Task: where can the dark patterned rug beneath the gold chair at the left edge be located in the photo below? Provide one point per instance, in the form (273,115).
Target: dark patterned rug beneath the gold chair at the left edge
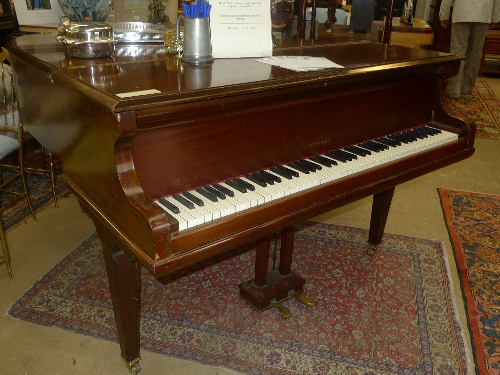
(40,189)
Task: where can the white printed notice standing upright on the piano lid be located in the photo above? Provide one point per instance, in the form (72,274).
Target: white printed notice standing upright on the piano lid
(241,28)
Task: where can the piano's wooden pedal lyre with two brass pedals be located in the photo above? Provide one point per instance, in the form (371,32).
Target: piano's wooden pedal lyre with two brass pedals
(269,288)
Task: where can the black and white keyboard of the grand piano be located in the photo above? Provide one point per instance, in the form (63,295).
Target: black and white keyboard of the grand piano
(211,202)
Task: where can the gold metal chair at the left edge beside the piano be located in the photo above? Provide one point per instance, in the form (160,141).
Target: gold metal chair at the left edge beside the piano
(13,139)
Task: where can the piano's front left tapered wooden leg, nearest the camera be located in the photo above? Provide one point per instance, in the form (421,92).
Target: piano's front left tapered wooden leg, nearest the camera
(125,286)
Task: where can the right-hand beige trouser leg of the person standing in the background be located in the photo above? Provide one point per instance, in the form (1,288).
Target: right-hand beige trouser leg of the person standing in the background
(473,57)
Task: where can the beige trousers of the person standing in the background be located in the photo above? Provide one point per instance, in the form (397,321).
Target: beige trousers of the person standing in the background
(467,39)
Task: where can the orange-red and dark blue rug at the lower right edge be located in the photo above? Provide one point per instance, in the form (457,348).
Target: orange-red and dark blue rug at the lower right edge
(473,221)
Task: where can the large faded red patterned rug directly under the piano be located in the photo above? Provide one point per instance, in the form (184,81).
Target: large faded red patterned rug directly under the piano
(392,313)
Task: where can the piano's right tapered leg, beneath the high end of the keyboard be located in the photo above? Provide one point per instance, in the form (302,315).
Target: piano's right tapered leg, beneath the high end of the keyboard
(380,211)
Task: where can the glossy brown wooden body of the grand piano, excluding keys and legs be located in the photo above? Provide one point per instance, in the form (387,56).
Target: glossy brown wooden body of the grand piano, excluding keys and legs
(212,122)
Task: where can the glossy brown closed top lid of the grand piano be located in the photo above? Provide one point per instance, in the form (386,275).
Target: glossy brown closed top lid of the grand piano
(139,68)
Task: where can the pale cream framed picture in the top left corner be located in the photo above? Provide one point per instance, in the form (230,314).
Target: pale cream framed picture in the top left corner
(37,13)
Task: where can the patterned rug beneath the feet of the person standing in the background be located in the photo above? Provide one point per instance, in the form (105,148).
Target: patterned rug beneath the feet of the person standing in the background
(482,107)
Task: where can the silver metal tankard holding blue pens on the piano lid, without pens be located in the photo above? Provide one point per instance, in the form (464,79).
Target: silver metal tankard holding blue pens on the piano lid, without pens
(197,48)
